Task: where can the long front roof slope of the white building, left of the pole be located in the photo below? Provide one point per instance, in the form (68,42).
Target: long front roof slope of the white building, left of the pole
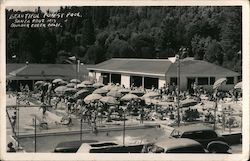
(152,67)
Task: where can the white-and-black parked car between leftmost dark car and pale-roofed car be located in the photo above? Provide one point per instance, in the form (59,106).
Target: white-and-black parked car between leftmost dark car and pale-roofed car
(109,147)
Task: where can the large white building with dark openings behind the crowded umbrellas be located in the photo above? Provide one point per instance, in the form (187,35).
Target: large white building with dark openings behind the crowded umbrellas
(157,72)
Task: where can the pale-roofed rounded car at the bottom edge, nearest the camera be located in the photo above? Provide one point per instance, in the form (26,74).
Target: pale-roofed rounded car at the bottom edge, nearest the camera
(180,145)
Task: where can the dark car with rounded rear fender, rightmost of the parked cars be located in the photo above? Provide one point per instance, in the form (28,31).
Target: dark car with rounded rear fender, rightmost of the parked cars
(206,136)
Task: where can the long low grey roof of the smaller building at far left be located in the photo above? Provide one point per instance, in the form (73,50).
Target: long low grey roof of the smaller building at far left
(43,71)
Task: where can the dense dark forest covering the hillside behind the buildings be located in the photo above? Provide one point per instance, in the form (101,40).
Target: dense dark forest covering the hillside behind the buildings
(211,33)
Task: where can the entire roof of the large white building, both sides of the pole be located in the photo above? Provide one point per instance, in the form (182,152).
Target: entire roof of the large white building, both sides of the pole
(162,67)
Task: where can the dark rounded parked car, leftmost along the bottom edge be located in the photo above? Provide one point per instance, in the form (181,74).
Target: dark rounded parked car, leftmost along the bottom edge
(71,146)
